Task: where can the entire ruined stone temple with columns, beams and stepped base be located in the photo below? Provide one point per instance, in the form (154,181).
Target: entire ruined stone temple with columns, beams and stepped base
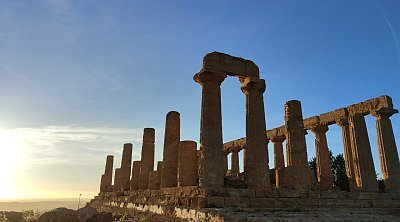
(193,183)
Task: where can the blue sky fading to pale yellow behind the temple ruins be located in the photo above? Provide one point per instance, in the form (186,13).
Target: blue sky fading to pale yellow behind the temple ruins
(78,79)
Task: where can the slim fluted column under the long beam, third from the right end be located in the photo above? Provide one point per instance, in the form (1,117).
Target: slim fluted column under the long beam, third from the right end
(348,153)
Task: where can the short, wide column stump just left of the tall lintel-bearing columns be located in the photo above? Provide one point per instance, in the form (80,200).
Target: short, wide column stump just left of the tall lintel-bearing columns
(187,166)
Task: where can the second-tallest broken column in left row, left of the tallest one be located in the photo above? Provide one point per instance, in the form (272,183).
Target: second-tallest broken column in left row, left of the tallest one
(147,161)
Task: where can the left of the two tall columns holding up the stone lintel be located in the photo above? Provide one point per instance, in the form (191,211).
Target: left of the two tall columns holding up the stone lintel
(212,163)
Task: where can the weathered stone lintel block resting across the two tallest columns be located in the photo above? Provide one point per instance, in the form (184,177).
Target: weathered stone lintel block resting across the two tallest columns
(220,62)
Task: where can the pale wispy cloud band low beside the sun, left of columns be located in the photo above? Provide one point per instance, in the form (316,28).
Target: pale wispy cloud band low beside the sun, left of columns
(69,144)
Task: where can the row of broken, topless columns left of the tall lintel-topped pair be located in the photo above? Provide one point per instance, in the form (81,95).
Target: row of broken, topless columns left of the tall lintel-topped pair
(178,168)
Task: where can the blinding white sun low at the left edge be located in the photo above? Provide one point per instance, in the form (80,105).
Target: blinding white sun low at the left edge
(11,151)
